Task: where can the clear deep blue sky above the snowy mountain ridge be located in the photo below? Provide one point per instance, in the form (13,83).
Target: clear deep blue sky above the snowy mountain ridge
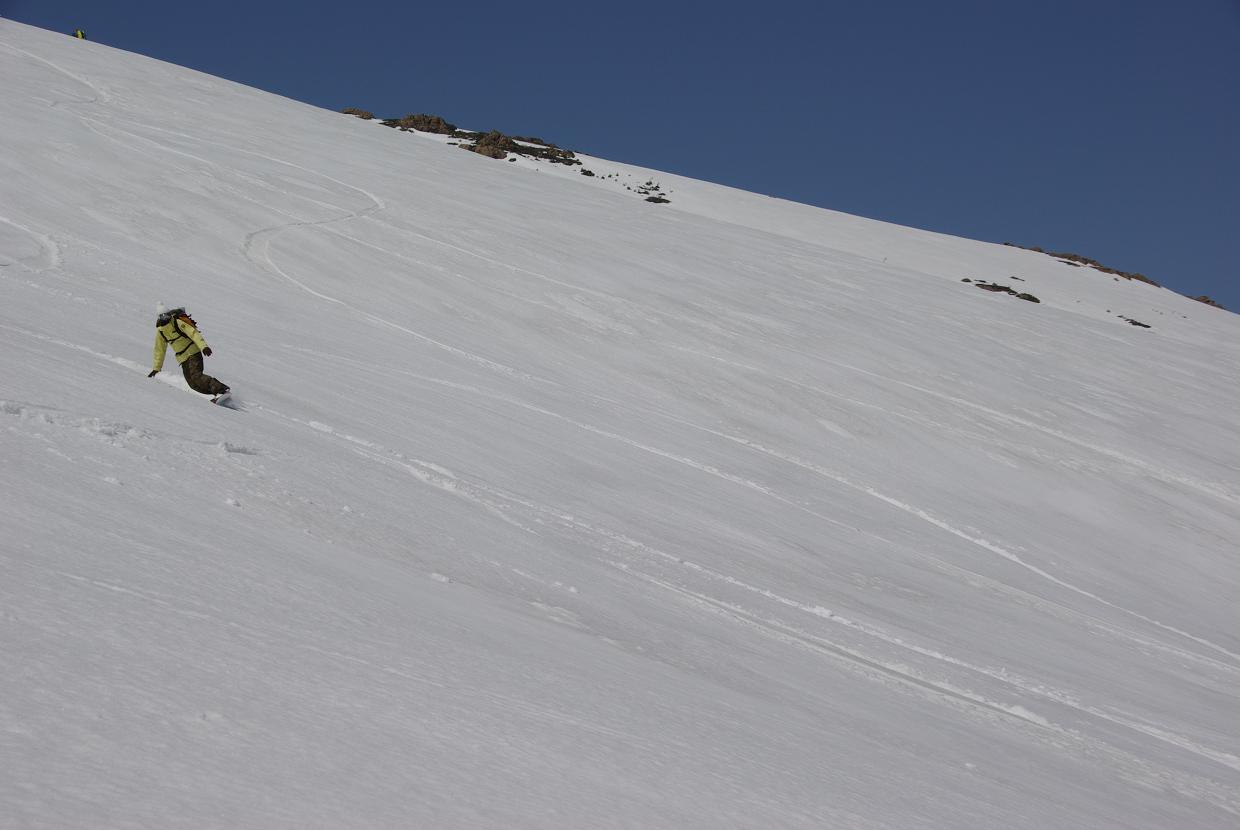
(1109,128)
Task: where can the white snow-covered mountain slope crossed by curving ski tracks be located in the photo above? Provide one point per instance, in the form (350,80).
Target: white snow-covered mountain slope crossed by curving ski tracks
(551,508)
